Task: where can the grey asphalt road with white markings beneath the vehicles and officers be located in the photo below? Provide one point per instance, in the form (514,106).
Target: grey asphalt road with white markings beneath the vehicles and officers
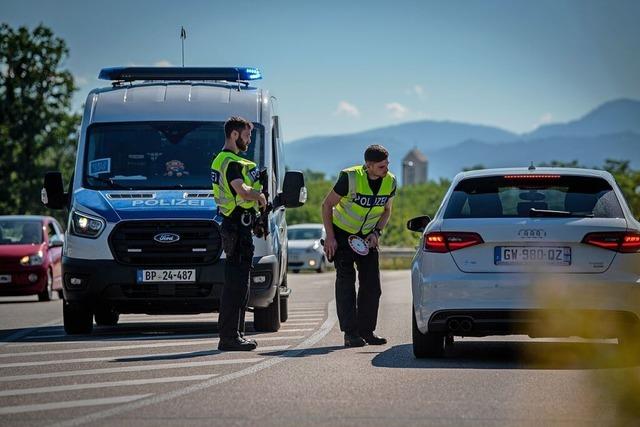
(165,370)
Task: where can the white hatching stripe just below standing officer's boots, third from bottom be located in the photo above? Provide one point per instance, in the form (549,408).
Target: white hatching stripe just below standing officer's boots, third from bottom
(138,368)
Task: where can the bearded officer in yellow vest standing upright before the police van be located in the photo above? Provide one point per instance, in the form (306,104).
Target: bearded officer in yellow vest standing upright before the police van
(236,190)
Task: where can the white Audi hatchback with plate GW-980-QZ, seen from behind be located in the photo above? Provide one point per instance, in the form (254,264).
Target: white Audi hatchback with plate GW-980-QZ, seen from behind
(547,252)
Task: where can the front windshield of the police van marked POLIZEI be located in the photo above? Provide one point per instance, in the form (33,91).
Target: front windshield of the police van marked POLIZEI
(157,155)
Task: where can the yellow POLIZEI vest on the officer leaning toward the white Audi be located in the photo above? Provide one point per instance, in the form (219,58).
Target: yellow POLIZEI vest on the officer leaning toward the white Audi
(360,210)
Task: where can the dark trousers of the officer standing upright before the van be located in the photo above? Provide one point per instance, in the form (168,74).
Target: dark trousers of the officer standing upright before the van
(235,292)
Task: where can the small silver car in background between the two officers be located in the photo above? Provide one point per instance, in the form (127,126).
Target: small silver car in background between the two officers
(305,251)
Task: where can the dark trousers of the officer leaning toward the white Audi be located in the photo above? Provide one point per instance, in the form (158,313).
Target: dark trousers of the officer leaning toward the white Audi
(357,315)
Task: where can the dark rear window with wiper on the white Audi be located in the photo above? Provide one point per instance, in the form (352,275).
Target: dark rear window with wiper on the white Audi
(524,196)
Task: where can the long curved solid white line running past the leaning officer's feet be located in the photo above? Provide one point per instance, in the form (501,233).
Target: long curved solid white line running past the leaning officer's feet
(267,363)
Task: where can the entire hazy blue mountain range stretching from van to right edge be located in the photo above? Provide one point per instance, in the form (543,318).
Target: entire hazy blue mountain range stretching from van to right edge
(612,130)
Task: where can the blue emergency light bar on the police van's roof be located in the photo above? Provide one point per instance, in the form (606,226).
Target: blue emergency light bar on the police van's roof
(230,74)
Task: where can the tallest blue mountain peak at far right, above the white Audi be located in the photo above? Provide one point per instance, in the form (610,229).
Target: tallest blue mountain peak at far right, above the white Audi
(611,117)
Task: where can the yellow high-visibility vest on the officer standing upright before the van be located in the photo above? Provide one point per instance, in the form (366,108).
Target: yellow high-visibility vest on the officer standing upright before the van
(222,194)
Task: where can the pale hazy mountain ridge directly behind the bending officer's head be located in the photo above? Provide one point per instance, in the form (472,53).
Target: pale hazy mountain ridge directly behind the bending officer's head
(330,154)
